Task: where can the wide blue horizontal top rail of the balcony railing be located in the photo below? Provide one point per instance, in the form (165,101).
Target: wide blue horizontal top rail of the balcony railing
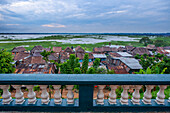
(120,79)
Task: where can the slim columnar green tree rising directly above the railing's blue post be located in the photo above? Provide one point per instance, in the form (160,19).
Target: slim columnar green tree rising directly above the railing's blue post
(85,63)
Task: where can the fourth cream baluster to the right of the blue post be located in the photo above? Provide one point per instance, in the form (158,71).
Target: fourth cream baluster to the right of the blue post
(136,94)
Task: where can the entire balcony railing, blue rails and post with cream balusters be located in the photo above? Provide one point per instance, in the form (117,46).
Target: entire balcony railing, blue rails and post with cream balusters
(86,101)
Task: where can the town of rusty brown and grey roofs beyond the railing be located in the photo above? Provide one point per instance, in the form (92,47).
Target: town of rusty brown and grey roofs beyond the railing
(120,59)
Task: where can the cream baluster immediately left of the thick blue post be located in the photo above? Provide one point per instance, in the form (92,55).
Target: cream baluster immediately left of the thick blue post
(70,95)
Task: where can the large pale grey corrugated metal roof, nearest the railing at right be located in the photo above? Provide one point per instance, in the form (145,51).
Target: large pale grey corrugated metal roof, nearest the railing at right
(131,63)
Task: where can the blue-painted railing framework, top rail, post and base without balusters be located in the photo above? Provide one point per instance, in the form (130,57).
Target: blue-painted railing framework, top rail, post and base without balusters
(86,84)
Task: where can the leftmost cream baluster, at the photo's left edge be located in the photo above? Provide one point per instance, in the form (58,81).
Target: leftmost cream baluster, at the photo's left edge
(6,94)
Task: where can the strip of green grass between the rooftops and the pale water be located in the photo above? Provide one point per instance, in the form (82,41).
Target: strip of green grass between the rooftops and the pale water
(89,47)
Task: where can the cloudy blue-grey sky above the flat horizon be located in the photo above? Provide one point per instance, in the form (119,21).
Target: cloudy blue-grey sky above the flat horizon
(84,16)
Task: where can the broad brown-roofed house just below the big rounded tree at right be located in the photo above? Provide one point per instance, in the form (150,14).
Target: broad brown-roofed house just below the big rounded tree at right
(140,51)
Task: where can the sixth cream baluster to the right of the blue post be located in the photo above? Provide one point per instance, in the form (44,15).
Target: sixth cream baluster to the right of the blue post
(160,95)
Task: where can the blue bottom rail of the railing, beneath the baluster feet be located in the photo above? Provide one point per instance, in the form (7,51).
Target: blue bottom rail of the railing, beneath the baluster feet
(64,107)
